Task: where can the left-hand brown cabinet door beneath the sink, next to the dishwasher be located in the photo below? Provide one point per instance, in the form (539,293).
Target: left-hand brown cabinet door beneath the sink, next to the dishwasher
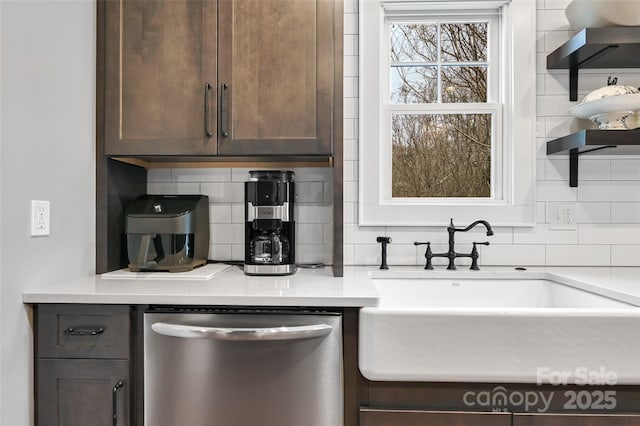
(377,417)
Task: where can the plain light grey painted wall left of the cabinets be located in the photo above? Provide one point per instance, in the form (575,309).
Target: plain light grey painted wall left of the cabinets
(47,153)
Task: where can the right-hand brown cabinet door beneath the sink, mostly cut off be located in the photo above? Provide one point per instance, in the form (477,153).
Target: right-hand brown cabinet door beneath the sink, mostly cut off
(576,419)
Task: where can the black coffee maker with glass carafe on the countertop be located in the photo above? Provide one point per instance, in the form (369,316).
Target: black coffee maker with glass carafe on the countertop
(269,237)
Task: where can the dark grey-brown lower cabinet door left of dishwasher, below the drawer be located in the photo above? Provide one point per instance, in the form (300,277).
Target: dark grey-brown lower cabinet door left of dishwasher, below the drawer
(77,392)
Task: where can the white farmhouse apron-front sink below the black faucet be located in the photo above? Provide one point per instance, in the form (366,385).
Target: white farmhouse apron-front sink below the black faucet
(493,330)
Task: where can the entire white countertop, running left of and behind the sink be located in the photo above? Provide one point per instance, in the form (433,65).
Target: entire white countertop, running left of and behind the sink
(312,287)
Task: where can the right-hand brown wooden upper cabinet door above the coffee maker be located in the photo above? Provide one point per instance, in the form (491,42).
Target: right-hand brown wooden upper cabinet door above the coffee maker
(276,76)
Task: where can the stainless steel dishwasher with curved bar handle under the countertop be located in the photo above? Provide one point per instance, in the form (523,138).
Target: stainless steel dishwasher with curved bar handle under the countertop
(243,367)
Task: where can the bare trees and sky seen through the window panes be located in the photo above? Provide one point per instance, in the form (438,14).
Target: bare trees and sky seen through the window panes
(439,155)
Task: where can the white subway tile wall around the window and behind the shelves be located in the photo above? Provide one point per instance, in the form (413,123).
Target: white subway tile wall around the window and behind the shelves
(607,200)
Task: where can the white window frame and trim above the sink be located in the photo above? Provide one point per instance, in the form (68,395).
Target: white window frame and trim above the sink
(513,141)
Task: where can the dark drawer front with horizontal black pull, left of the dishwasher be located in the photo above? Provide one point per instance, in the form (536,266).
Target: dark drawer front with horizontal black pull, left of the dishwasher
(83,331)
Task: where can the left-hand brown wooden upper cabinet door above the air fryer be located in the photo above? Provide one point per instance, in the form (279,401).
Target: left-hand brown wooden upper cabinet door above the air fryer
(160,77)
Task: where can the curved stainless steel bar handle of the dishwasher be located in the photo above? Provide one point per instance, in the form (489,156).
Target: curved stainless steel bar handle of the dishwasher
(242,334)
